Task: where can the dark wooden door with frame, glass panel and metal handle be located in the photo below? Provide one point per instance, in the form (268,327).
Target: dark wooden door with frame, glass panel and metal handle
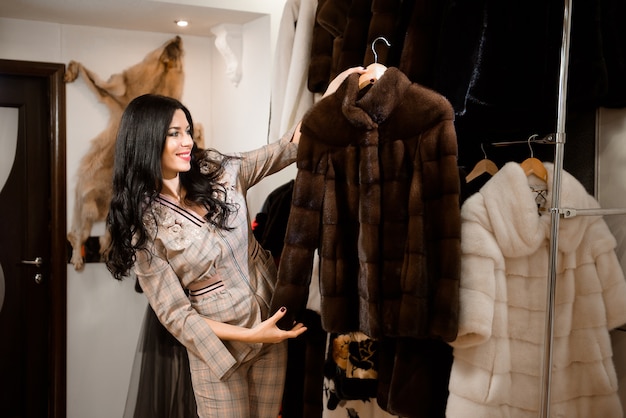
(32,242)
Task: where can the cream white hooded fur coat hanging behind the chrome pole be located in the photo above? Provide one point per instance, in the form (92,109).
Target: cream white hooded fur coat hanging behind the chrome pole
(497,367)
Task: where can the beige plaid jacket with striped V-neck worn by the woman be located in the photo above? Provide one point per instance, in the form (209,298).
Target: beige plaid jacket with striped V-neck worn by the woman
(186,250)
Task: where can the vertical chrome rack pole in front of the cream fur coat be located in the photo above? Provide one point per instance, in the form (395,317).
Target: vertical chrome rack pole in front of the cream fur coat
(555,212)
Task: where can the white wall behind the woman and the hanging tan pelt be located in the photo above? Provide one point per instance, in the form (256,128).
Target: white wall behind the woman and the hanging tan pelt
(104,316)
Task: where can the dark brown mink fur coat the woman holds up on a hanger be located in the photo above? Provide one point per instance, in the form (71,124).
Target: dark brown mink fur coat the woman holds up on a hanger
(377,194)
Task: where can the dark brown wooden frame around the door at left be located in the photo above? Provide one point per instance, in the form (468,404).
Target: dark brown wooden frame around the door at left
(53,73)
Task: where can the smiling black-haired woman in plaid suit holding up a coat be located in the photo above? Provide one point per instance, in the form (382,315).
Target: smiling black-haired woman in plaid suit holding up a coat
(179,220)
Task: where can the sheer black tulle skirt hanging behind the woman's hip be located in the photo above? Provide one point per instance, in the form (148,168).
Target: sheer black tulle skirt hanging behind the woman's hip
(160,383)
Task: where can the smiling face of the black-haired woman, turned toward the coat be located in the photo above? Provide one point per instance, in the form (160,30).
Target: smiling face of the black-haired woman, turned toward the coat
(176,155)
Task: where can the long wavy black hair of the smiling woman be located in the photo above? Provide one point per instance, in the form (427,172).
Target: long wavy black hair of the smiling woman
(137,178)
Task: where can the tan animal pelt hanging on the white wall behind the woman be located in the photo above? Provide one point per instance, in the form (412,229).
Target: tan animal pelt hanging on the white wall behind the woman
(160,72)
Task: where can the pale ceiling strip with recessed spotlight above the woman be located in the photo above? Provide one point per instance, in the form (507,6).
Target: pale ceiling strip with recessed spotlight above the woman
(141,15)
